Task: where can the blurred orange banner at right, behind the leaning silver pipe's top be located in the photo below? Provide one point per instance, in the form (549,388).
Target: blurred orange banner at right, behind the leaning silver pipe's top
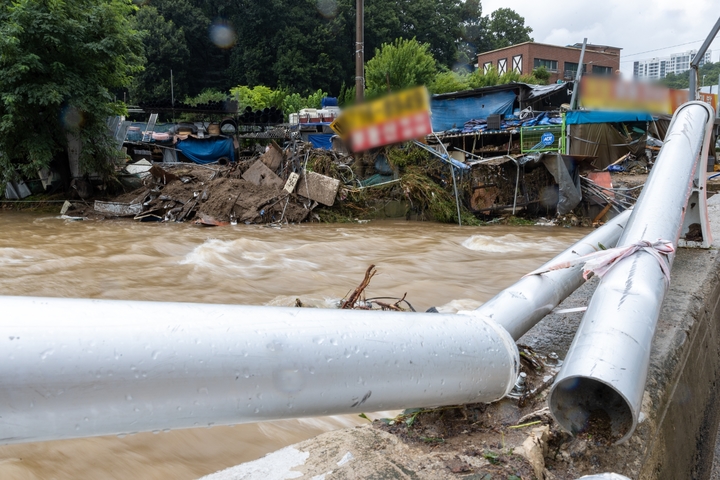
(609,93)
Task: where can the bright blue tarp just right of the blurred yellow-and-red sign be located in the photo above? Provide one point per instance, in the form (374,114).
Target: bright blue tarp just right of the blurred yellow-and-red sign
(454,112)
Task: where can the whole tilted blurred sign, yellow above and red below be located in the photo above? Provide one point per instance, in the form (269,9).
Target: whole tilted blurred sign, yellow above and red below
(396,118)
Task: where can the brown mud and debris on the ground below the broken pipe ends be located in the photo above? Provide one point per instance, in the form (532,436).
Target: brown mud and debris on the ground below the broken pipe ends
(515,438)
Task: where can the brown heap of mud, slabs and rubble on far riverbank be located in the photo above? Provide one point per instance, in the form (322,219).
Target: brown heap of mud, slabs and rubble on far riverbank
(273,188)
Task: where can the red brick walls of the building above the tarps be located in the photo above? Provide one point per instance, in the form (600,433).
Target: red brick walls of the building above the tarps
(531,51)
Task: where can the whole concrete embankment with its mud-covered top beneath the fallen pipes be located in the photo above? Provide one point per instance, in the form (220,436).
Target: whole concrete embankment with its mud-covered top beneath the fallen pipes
(674,439)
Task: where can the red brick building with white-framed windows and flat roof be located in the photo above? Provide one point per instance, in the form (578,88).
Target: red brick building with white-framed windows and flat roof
(561,62)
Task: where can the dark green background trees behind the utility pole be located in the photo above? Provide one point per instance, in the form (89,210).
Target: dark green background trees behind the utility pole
(301,46)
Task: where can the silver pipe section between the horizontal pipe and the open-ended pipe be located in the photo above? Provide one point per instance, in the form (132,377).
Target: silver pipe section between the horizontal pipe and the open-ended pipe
(519,307)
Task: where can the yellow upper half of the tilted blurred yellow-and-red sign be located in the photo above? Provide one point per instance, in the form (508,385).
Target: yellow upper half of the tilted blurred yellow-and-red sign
(395,106)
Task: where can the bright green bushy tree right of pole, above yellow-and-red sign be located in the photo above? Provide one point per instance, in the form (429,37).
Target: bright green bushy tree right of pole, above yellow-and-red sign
(398,65)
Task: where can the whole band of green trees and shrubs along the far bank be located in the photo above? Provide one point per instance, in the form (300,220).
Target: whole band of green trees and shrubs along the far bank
(65,64)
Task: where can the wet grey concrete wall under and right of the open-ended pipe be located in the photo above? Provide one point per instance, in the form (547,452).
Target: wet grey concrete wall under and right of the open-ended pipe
(676,436)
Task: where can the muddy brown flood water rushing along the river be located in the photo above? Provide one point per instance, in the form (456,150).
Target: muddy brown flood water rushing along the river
(437,265)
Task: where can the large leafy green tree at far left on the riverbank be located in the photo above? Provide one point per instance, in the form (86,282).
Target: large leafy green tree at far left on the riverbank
(60,61)
